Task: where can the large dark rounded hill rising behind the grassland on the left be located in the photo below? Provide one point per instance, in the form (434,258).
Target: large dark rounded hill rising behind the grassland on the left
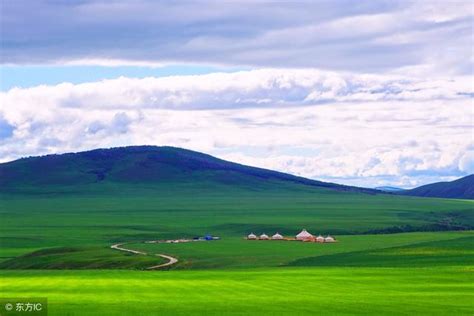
(143,165)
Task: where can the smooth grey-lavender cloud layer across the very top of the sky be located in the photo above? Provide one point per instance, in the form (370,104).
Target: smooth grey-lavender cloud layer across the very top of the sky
(367,36)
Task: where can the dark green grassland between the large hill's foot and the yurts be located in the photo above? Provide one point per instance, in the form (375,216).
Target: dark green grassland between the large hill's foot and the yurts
(142,213)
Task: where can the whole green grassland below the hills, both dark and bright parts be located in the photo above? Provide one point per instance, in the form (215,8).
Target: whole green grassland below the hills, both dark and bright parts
(58,246)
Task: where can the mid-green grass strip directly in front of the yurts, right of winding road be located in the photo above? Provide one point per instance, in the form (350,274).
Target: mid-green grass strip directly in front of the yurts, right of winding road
(239,253)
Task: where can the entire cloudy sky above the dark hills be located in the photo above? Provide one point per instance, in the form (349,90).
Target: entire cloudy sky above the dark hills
(366,93)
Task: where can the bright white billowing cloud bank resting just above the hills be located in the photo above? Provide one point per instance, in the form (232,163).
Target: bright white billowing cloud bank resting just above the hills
(356,129)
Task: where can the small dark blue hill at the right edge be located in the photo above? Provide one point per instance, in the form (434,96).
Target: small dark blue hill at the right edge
(462,188)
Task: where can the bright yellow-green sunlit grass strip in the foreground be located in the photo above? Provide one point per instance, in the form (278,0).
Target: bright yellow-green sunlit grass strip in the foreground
(271,291)
